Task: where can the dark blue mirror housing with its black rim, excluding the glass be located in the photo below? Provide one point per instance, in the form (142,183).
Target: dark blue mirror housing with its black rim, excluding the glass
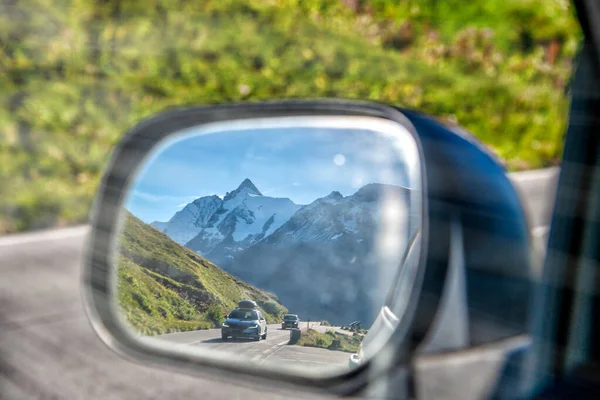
(475,241)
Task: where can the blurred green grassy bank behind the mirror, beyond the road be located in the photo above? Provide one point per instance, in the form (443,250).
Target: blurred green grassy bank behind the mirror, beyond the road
(76,74)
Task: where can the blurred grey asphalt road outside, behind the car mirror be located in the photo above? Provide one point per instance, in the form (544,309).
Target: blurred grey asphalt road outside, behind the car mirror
(48,349)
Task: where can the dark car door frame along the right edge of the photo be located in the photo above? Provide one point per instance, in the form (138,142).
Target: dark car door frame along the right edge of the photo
(566,353)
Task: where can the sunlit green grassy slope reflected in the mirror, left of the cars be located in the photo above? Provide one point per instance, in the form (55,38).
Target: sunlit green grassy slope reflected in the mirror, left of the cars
(164,287)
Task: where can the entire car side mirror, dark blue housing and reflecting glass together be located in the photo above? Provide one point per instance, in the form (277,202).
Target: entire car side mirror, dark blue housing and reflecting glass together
(354,212)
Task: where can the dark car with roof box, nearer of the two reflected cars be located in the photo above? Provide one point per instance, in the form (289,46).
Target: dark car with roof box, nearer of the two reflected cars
(244,323)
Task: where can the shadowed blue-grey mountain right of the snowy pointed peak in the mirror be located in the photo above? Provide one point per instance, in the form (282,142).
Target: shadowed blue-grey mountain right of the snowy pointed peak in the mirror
(325,262)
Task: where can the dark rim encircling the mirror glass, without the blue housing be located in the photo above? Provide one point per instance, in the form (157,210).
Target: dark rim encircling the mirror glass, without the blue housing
(127,157)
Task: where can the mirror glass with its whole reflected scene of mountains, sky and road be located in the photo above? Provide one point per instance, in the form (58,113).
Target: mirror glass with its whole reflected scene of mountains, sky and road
(274,241)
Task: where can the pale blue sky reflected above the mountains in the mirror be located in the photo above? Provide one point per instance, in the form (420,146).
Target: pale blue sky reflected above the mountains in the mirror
(302,164)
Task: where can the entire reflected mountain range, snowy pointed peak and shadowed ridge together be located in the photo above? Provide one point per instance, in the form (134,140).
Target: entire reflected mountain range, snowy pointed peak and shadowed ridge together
(323,260)
